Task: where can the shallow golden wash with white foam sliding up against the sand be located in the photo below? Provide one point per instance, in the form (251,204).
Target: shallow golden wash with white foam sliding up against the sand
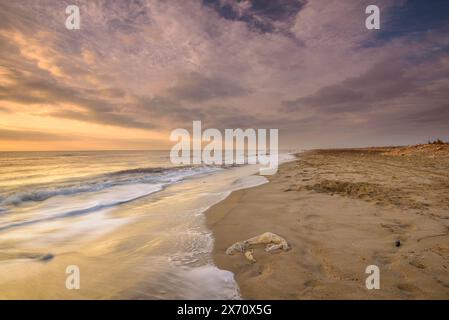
(153,247)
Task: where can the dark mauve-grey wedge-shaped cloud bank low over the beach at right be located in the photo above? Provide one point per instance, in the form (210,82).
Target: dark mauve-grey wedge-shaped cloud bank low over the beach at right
(390,85)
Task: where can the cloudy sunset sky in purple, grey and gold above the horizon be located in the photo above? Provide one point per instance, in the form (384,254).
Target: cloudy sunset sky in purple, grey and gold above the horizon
(136,70)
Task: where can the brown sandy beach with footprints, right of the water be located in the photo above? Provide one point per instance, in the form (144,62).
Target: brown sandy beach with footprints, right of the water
(342,210)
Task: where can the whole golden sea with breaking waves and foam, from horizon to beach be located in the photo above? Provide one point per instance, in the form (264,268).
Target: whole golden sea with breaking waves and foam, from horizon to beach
(131,221)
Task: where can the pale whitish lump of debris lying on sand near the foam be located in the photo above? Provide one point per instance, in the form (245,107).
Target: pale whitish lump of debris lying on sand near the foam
(273,242)
